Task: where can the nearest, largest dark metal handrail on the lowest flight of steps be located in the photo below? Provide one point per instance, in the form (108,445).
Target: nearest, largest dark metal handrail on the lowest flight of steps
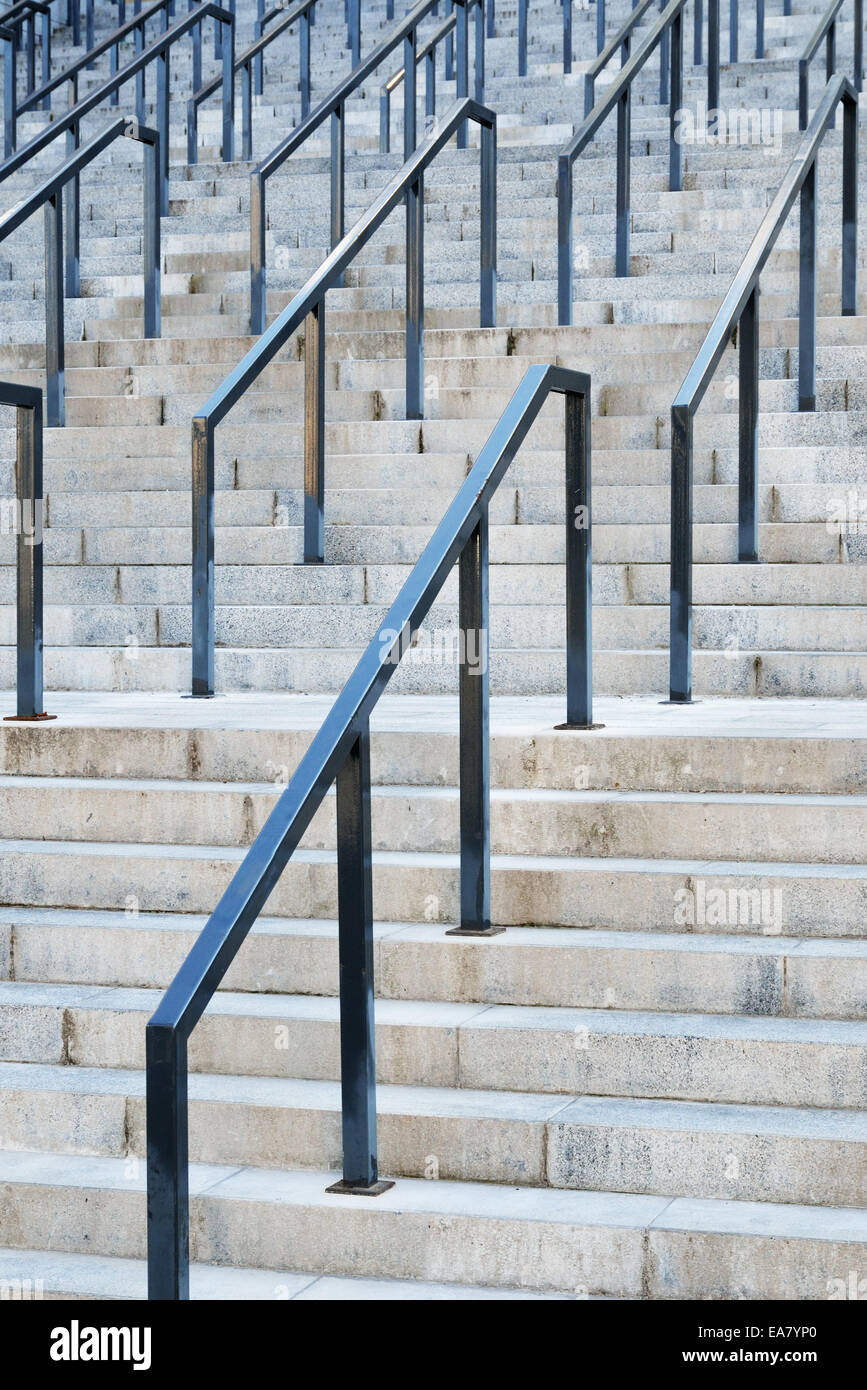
(341,754)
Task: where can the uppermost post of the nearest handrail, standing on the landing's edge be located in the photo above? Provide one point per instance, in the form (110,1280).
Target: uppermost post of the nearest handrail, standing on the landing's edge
(579,565)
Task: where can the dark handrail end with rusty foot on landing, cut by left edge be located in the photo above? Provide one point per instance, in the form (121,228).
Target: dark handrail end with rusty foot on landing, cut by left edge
(28,526)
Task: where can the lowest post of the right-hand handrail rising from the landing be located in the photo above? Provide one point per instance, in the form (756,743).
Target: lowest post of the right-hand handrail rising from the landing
(680,639)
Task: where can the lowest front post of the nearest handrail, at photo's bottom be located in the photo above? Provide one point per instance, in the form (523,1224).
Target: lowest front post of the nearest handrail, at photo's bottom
(167,1166)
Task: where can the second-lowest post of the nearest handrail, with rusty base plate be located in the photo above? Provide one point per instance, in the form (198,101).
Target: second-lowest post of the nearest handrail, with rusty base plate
(356,949)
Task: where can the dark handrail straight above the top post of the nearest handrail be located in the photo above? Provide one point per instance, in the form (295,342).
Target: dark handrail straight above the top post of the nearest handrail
(620,95)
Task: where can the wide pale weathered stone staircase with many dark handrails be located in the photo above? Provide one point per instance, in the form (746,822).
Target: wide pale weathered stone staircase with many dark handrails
(652,1085)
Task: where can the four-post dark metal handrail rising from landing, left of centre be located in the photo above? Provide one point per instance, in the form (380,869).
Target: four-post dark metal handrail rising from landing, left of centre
(309,308)
